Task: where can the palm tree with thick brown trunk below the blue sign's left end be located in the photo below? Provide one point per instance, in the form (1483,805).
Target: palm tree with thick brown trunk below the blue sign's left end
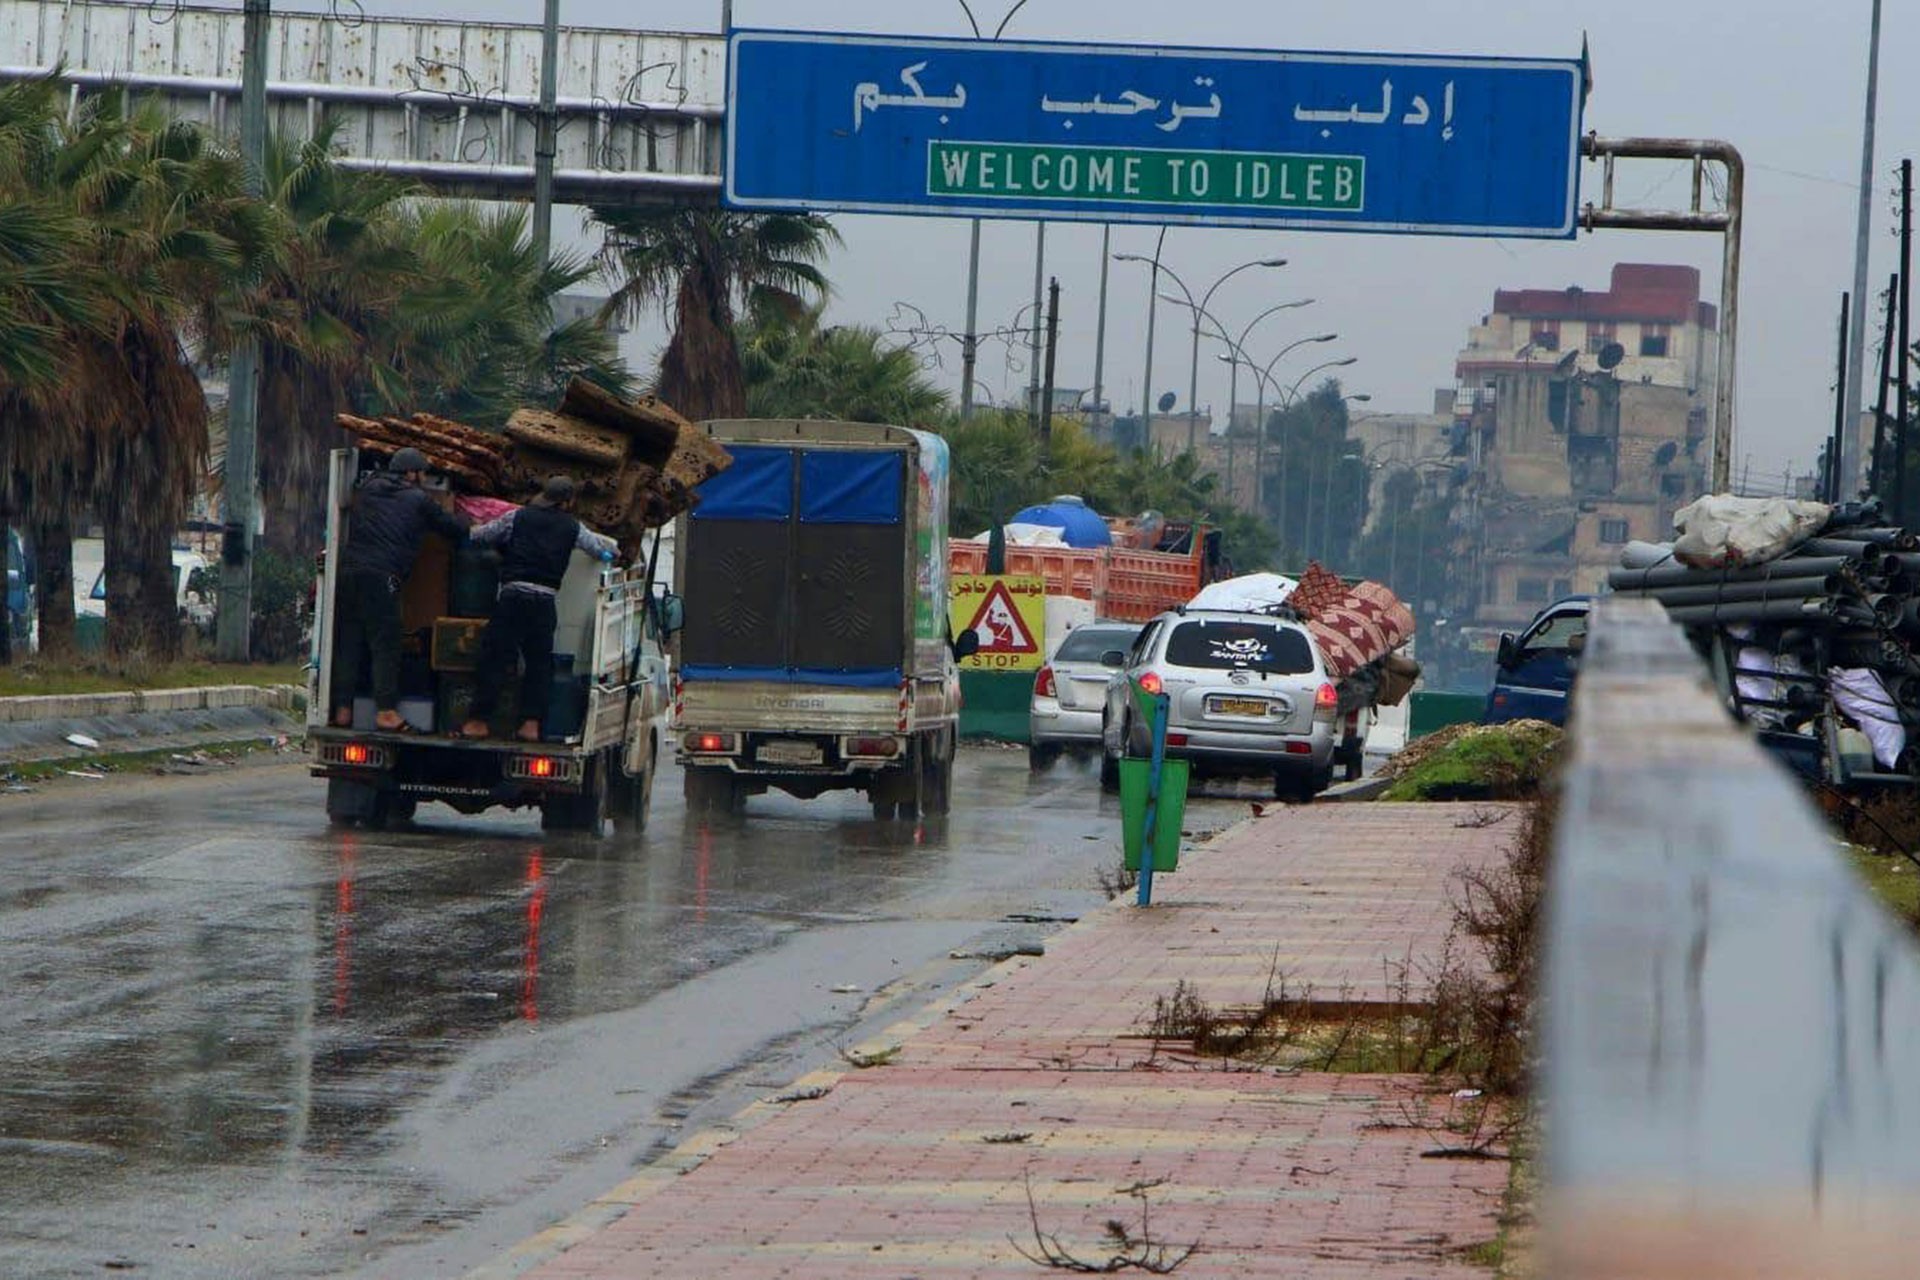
(704,268)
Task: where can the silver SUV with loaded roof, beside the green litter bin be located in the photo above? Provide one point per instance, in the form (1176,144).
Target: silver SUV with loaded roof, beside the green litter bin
(1247,698)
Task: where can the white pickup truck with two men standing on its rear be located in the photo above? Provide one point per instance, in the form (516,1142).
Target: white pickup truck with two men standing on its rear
(596,761)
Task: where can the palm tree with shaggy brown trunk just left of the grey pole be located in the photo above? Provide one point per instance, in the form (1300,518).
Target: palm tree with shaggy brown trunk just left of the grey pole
(164,231)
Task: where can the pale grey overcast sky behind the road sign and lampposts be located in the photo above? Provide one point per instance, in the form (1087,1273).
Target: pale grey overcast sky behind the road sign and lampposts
(1785,87)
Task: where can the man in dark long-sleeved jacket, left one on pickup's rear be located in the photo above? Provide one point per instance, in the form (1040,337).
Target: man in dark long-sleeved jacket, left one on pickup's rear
(387,523)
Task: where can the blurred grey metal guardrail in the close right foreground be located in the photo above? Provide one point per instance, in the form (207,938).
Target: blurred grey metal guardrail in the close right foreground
(1731,1022)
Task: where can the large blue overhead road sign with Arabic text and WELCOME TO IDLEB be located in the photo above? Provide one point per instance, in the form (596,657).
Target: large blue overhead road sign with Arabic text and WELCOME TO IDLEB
(1381,143)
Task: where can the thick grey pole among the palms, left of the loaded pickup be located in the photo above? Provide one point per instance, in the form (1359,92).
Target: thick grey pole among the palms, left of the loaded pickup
(241,473)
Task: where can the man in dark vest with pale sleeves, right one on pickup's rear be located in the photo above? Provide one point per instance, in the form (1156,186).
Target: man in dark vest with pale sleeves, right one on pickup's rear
(535,542)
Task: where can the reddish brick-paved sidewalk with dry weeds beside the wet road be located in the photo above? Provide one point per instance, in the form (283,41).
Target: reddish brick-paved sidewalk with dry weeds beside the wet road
(1042,1083)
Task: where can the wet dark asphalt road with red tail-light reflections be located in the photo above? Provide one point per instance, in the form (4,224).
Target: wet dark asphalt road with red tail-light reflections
(235,1043)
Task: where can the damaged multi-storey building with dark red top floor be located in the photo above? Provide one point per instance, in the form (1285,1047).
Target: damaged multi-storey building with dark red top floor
(1583,421)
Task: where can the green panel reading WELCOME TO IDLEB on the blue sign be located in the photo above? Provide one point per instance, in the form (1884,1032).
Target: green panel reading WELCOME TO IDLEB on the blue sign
(1015,170)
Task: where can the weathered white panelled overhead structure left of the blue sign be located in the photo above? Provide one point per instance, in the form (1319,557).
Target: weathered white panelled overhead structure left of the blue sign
(444,103)
